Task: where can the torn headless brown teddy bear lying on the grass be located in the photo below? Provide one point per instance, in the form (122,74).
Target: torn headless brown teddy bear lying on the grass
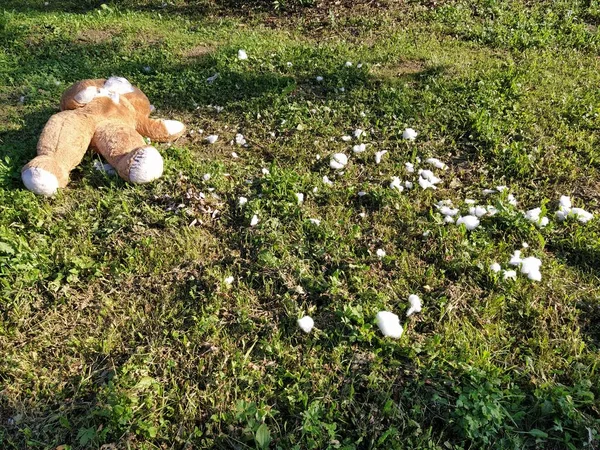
(109,115)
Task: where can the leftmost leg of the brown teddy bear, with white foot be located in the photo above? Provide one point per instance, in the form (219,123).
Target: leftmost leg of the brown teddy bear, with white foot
(61,147)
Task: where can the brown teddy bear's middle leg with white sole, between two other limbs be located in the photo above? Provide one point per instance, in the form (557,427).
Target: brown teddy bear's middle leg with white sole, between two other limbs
(125,150)
